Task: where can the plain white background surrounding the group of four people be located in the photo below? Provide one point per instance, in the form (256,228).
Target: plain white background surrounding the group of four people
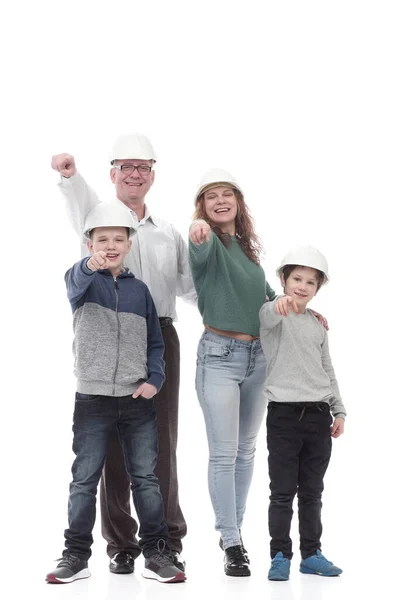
(302,102)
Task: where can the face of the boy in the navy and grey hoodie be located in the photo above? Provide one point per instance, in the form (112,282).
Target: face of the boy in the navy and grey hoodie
(114,241)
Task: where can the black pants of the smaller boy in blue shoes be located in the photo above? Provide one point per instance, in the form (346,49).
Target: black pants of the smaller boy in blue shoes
(299,445)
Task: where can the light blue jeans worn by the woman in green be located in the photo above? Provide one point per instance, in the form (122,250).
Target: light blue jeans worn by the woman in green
(229,383)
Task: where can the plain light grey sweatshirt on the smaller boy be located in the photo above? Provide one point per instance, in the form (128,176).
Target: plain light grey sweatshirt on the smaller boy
(299,367)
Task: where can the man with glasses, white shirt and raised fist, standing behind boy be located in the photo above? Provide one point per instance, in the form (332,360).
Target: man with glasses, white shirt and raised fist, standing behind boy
(159,258)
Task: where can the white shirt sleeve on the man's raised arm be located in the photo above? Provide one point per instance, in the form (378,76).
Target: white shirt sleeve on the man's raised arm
(80,199)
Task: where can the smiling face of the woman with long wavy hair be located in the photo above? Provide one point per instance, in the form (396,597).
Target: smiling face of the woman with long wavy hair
(221,207)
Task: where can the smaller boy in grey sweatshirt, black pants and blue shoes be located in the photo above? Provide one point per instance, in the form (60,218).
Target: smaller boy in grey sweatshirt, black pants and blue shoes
(303,395)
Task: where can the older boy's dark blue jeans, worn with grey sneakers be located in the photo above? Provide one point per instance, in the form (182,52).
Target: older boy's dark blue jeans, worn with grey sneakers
(95,419)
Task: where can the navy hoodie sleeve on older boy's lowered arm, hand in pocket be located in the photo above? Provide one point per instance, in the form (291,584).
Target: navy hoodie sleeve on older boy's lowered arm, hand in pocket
(155,346)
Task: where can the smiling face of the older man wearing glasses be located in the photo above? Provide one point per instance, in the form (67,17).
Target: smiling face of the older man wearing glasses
(131,188)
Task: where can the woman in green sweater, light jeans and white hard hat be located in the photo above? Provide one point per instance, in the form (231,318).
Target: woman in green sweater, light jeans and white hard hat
(231,287)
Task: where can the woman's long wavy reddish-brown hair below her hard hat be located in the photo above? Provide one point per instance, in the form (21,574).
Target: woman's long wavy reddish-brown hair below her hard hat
(244,227)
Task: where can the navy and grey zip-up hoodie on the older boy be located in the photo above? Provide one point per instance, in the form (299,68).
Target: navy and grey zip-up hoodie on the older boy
(118,342)
